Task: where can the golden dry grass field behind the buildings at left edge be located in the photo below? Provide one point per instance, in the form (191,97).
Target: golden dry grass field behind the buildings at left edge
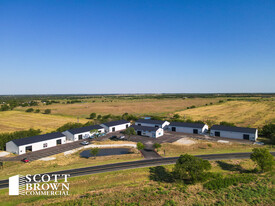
(17,120)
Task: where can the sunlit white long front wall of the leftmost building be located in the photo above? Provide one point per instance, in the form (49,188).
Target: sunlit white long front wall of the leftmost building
(39,145)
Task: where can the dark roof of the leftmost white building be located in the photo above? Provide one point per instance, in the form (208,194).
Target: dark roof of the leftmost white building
(38,138)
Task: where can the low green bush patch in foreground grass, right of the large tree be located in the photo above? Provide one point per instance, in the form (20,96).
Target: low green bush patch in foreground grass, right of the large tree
(220,182)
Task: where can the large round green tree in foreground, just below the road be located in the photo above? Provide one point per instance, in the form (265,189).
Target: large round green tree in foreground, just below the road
(190,168)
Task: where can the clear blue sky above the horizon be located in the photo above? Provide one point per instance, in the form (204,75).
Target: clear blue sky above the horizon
(135,46)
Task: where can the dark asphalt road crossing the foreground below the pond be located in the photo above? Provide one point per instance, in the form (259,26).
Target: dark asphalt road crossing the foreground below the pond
(137,164)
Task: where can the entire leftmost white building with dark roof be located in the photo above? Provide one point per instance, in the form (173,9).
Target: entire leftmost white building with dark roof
(39,142)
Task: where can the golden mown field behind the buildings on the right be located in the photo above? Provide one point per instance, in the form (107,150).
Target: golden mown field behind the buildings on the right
(242,113)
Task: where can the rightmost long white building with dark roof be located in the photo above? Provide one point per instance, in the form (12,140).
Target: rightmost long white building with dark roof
(234,132)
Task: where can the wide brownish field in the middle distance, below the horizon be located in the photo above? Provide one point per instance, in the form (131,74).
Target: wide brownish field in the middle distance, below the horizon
(121,106)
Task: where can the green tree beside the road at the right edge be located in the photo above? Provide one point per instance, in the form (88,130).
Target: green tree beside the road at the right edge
(263,158)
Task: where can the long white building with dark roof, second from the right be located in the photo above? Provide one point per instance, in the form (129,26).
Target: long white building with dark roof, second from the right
(186,127)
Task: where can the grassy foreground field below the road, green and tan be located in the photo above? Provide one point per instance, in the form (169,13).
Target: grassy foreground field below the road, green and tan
(105,189)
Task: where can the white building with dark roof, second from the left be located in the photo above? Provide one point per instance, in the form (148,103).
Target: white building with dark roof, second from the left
(82,133)
